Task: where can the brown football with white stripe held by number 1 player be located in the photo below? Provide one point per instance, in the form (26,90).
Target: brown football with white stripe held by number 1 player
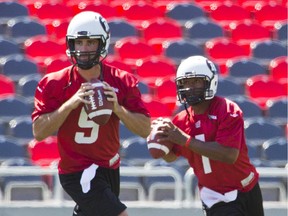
(156,149)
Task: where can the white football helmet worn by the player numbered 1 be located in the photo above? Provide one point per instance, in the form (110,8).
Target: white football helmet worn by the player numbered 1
(196,67)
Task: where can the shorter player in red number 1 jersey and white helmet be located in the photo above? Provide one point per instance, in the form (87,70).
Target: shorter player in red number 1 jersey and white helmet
(210,135)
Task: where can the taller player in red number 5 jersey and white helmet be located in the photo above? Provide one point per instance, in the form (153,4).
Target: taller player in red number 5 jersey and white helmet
(89,158)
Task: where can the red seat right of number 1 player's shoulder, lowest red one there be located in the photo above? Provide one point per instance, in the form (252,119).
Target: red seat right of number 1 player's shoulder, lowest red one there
(261,88)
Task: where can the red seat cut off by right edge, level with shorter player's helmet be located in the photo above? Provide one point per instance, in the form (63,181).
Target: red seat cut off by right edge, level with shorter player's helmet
(278,68)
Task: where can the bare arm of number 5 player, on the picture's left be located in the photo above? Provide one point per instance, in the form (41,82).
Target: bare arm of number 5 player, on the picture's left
(47,124)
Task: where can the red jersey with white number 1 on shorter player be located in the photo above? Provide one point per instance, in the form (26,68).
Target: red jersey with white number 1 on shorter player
(222,122)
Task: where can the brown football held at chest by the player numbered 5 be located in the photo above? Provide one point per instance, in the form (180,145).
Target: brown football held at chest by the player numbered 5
(100,109)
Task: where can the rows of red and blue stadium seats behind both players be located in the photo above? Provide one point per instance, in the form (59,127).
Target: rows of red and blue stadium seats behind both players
(246,39)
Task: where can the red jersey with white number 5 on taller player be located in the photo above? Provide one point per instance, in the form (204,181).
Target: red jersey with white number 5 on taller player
(81,142)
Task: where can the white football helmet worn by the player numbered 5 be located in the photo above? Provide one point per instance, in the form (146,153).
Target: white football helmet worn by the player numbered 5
(90,25)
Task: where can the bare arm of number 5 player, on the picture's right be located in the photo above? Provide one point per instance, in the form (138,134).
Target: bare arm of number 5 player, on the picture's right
(138,123)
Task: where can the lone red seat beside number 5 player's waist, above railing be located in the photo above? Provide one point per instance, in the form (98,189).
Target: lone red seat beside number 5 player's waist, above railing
(43,152)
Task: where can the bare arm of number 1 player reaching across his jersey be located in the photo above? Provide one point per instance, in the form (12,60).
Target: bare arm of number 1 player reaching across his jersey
(212,150)
